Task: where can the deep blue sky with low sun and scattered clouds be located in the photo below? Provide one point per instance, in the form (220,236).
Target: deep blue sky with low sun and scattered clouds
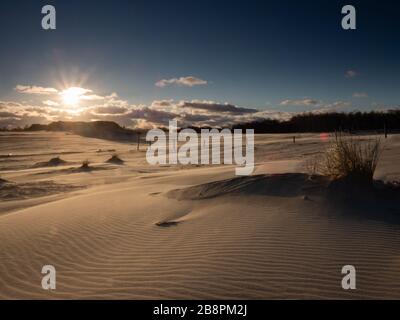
(142,63)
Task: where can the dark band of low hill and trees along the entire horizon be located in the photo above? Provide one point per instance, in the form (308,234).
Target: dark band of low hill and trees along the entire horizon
(307,122)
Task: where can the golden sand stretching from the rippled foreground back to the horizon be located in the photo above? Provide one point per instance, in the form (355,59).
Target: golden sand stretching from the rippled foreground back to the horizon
(134,231)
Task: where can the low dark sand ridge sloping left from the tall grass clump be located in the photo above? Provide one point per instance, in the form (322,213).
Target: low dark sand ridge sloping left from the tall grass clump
(282,185)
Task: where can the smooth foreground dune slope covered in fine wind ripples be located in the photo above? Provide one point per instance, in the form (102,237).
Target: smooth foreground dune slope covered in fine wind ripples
(107,247)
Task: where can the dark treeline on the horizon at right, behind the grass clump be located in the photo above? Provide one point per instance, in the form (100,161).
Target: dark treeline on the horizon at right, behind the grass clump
(329,122)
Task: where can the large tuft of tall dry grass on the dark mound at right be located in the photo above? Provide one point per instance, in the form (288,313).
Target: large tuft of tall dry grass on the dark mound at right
(351,160)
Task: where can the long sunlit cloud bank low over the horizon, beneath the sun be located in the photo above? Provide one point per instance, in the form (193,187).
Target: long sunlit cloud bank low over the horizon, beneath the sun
(156,114)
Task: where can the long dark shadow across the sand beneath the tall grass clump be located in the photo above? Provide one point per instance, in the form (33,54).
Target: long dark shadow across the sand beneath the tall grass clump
(377,201)
